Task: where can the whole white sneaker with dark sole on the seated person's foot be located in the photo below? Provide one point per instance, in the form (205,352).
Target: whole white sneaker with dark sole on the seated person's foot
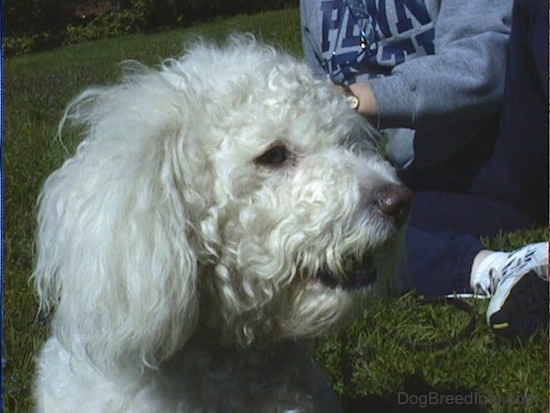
(517,283)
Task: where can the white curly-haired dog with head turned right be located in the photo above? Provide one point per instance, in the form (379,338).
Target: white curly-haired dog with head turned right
(220,212)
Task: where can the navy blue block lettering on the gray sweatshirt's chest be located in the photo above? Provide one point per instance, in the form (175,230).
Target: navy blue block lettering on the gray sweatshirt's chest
(401,29)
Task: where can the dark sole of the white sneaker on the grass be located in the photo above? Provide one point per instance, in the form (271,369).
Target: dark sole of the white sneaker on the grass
(525,310)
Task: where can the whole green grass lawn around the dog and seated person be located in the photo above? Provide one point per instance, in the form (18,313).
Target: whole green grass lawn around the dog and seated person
(369,362)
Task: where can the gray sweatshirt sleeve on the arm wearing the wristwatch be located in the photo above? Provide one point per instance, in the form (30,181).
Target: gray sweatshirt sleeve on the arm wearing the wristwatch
(463,79)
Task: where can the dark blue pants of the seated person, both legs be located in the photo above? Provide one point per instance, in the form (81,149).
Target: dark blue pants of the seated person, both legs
(497,185)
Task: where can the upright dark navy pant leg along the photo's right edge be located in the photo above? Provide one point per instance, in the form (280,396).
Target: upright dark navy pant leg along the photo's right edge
(518,169)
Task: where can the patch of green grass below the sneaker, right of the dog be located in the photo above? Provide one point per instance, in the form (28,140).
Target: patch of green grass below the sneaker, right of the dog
(374,357)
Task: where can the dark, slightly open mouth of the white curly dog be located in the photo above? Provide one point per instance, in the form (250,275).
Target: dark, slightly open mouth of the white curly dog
(358,274)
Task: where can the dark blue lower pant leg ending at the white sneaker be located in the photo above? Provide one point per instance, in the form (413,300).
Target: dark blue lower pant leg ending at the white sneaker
(438,263)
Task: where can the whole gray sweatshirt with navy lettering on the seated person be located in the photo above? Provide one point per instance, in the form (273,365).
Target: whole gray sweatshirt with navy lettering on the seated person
(432,64)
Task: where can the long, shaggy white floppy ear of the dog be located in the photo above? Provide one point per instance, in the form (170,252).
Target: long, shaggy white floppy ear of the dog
(115,249)
